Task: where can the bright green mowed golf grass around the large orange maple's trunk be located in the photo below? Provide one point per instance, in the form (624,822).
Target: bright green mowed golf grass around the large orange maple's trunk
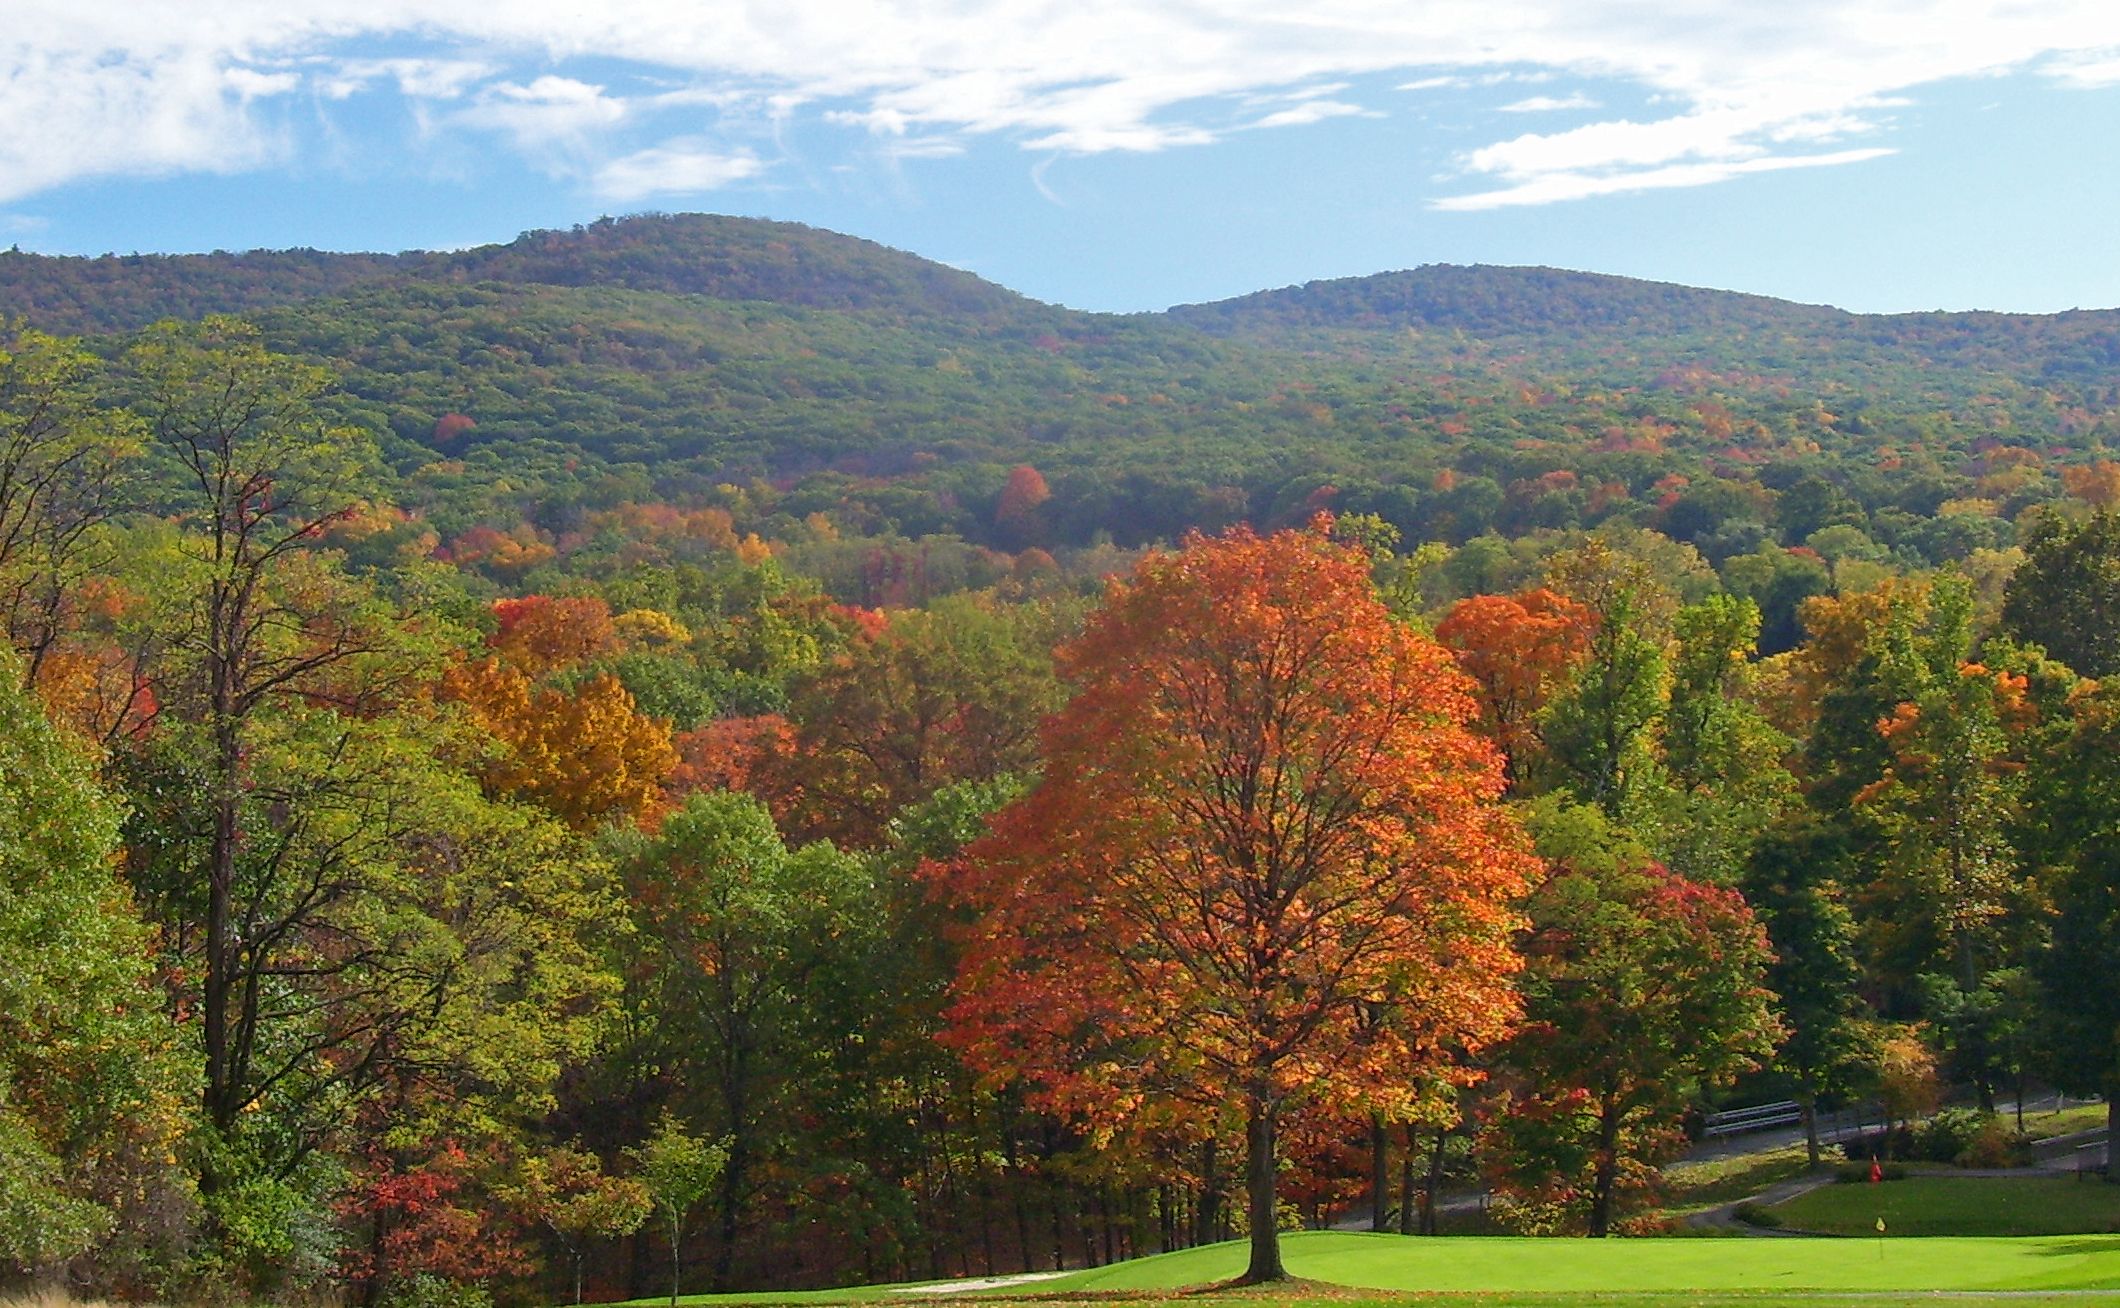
(1608,1273)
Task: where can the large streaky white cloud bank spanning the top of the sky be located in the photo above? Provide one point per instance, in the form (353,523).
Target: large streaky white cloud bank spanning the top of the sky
(1737,86)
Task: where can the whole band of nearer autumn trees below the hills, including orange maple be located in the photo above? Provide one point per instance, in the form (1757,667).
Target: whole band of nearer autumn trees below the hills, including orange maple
(631,908)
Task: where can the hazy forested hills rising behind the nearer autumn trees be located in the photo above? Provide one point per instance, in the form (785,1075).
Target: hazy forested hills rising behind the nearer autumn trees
(669,357)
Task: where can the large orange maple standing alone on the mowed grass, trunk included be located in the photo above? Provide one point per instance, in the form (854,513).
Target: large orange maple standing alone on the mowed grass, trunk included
(1265,866)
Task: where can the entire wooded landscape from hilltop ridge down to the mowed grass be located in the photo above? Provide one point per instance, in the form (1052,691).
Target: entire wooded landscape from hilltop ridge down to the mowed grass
(573,768)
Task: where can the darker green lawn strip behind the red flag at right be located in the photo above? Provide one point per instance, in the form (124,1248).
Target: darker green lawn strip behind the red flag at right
(1960,1207)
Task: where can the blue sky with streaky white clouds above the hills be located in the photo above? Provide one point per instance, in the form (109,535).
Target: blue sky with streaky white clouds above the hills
(1881,156)
